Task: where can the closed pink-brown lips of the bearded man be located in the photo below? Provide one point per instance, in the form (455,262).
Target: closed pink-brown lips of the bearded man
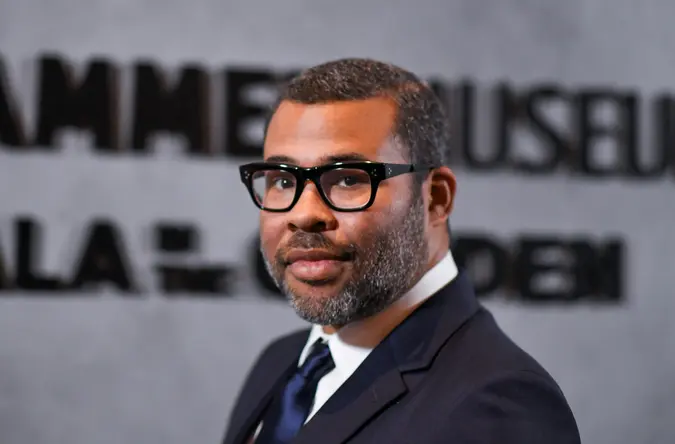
(315,265)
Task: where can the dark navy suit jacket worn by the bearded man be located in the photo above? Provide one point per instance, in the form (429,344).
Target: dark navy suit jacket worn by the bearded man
(447,374)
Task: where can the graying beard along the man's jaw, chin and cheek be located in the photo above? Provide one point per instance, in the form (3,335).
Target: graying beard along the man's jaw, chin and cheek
(383,273)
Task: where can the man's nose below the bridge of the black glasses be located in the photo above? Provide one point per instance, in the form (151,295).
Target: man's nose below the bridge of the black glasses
(311,213)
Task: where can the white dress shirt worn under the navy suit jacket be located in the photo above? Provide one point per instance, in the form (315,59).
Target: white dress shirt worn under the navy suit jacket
(352,344)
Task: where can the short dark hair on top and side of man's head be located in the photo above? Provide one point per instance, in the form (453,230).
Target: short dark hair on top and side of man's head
(421,122)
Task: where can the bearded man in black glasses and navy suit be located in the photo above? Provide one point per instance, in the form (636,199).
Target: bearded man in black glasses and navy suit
(355,197)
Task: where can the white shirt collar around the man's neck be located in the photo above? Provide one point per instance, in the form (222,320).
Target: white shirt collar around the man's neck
(348,357)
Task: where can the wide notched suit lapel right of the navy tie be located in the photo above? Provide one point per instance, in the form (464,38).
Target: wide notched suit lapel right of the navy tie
(379,382)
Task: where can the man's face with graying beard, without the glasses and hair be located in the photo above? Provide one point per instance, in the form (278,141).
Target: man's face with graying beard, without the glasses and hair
(375,254)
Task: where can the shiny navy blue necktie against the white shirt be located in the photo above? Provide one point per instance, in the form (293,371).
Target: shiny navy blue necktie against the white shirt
(288,413)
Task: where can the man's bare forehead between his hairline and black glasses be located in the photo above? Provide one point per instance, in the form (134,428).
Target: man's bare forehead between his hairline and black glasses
(319,133)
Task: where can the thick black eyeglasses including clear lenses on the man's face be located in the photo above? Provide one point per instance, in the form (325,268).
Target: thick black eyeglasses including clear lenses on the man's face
(344,186)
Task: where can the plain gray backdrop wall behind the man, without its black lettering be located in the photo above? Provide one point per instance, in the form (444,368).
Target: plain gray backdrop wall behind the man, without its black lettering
(102,365)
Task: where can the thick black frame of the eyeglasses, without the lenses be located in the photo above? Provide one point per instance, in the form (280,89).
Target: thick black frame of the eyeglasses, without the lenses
(377,171)
